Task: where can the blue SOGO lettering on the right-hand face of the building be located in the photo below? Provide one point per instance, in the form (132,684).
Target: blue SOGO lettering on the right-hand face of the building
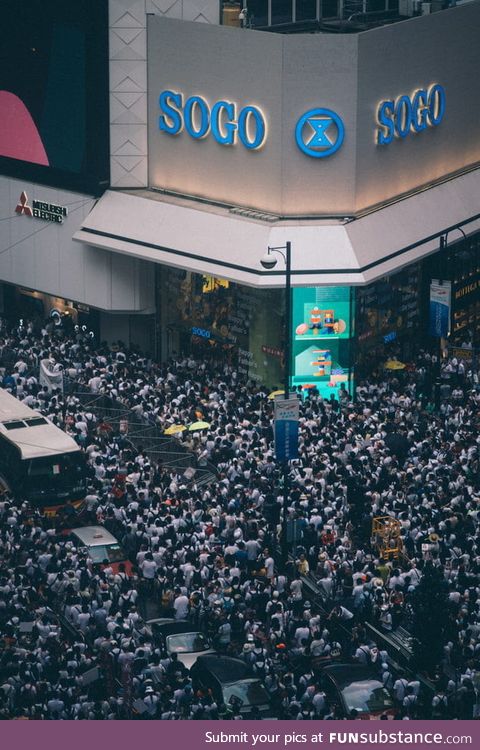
(410,114)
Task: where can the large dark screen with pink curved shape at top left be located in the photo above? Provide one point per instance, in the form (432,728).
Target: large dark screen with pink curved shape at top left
(54,124)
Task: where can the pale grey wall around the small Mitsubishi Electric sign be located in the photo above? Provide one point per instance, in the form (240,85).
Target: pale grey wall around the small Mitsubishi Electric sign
(41,255)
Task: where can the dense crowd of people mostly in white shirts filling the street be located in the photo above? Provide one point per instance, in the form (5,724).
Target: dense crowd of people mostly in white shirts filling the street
(209,553)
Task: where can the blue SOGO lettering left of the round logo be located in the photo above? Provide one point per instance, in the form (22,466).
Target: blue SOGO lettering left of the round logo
(223,121)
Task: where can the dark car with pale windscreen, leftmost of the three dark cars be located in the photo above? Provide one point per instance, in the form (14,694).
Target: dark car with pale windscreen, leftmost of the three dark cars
(178,637)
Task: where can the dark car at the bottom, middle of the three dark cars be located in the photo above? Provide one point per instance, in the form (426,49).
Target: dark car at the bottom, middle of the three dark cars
(231,681)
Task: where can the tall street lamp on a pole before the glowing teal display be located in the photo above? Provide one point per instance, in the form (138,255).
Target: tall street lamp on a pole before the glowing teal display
(269,262)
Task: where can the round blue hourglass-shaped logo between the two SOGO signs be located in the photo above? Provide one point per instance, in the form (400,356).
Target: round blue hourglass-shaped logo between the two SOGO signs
(319,133)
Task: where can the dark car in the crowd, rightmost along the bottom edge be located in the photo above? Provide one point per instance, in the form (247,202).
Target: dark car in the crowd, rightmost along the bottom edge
(356,691)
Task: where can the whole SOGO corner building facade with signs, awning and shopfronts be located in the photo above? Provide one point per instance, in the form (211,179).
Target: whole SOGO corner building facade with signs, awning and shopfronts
(360,149)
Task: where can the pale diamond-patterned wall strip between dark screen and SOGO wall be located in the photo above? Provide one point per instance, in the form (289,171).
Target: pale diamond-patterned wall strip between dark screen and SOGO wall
(128,78)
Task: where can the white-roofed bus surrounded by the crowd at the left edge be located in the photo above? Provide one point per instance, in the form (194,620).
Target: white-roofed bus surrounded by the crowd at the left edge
(39,462)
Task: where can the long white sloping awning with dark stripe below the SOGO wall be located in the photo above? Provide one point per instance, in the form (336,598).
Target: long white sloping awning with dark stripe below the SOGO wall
(214,240)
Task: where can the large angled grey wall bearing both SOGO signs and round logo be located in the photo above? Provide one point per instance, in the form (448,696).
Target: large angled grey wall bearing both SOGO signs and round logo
(315,124)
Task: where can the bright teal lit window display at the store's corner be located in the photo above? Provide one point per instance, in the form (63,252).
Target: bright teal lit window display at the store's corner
(321,339)
